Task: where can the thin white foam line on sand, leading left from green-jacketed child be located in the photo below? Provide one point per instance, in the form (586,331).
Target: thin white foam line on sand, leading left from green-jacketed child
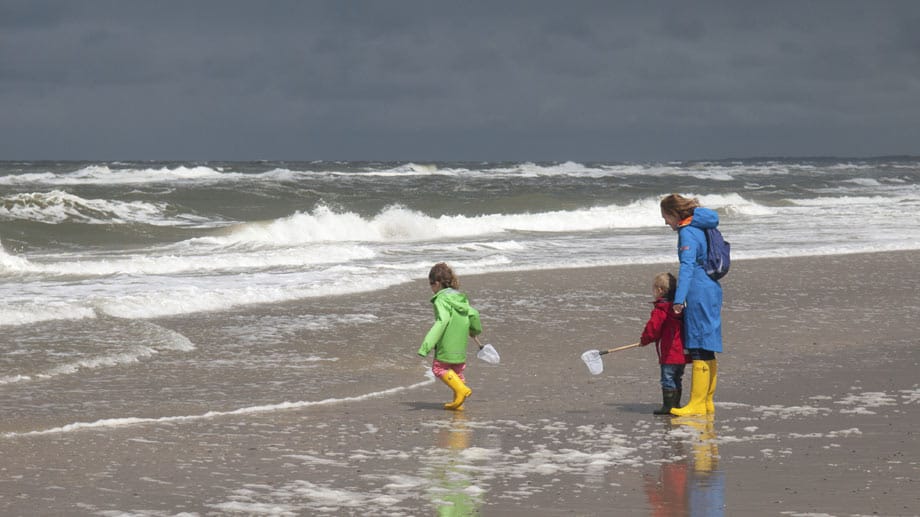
(130,421)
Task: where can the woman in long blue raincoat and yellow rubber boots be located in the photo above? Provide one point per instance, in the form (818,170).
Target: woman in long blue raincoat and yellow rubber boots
(698,298)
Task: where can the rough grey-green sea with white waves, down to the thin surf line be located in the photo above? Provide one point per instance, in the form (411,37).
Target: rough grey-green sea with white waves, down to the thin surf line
(124,284)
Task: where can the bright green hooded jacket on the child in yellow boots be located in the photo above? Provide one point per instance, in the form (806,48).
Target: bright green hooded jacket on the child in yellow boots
(454,321)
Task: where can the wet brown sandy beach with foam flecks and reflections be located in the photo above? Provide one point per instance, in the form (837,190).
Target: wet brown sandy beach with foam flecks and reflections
(816,413)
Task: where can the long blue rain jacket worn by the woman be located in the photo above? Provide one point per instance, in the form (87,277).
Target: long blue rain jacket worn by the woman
(701,294)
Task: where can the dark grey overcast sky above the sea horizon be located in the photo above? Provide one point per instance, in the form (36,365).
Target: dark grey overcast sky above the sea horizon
(430,80)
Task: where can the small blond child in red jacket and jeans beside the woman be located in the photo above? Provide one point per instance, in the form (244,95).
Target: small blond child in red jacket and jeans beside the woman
(664,328)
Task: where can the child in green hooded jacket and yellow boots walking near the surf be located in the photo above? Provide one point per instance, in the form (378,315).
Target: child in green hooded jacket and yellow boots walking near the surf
(454,321)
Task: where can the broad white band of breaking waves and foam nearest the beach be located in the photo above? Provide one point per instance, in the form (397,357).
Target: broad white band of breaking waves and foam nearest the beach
(330,252)
